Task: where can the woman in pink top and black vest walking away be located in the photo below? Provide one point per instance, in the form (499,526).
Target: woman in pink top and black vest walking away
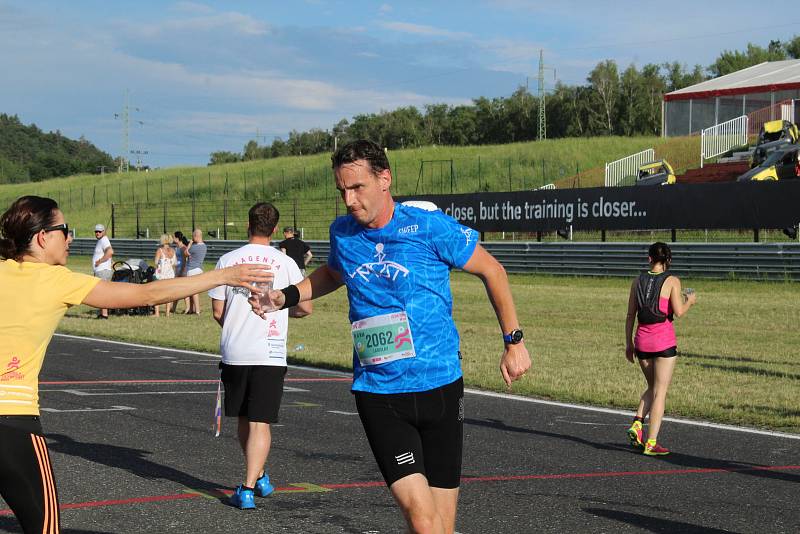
(654,299)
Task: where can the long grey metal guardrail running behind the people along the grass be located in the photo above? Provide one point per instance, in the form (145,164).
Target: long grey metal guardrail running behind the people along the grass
(757,261)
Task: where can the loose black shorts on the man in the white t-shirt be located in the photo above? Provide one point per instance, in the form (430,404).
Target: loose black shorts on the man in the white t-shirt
(253,391)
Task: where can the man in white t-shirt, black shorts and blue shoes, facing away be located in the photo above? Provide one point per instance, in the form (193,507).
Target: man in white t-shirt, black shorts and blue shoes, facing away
(254,351)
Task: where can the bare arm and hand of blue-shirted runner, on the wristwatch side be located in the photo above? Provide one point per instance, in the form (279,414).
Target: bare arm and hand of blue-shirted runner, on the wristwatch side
(515,360)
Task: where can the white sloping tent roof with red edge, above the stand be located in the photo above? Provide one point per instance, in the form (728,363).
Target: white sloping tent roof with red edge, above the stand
(764,77)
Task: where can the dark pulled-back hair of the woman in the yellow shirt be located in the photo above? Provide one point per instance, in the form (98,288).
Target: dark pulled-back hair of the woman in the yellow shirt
(26,216)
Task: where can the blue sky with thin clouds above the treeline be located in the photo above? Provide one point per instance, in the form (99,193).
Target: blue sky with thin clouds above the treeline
(205,76)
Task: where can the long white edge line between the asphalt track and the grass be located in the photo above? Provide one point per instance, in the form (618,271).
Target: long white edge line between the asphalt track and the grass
(705,424)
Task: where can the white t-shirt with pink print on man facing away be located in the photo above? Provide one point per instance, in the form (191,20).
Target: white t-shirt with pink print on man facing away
(247,339)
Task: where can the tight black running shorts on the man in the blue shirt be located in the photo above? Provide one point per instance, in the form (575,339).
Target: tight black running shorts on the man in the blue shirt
(416,433)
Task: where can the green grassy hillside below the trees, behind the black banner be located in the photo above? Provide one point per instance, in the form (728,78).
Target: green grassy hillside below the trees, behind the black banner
(303,186)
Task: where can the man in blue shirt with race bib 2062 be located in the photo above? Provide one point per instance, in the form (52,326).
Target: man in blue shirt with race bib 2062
(395,261)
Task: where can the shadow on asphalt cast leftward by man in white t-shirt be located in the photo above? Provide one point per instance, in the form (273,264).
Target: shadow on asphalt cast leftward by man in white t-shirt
(132,460)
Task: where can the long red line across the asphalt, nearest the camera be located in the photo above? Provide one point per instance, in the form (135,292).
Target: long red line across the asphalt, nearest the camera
(499,478)
